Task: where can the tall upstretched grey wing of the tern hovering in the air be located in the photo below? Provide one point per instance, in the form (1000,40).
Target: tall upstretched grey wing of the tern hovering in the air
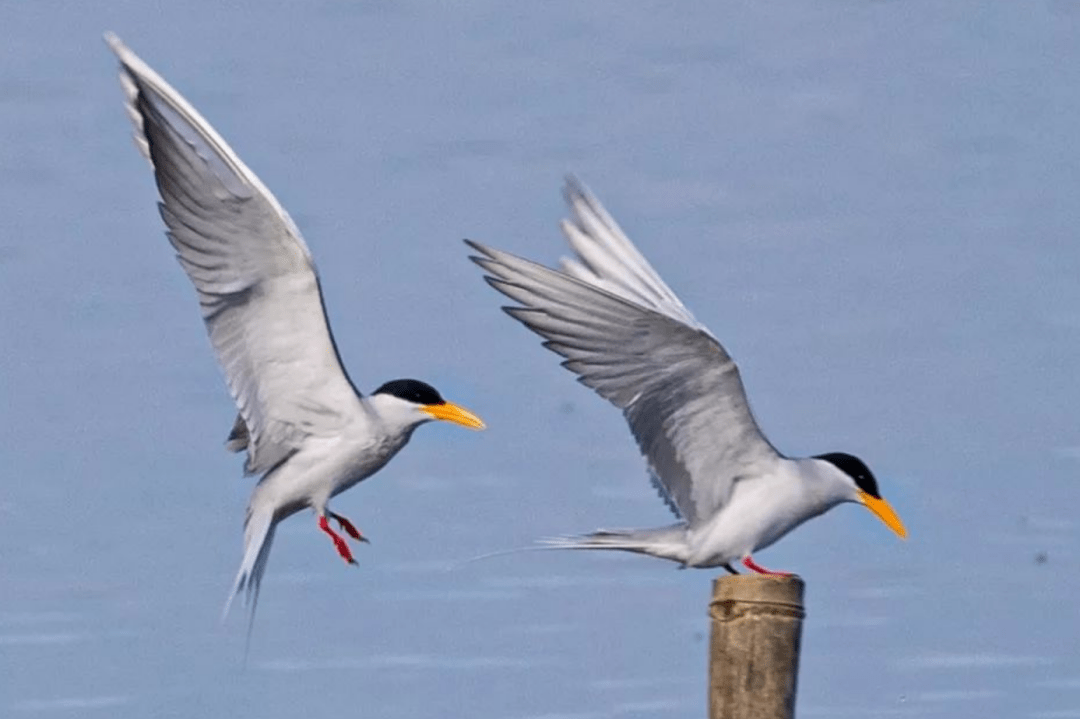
(258,286)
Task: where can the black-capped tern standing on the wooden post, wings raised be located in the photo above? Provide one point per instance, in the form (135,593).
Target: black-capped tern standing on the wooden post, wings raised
(626,335)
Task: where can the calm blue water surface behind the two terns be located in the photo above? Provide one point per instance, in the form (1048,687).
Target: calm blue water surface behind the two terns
(872,204)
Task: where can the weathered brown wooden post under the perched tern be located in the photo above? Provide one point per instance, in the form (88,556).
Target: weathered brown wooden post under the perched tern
(754,652)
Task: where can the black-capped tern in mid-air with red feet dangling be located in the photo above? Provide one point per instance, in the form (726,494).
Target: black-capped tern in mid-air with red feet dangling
(308,432)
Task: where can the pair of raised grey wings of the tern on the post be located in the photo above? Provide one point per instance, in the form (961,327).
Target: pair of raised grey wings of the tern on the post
(679,389)
